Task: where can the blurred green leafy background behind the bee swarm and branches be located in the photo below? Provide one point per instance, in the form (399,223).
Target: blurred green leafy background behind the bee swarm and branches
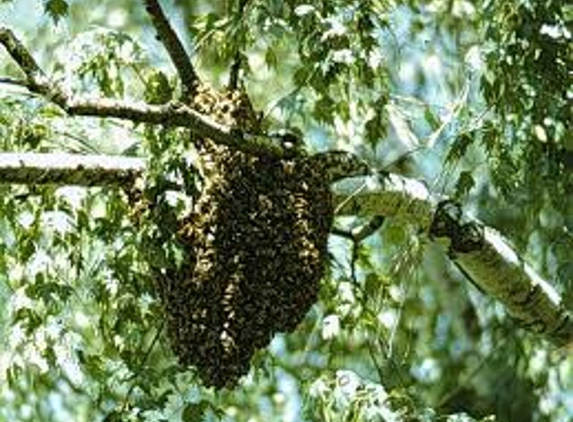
(472,98)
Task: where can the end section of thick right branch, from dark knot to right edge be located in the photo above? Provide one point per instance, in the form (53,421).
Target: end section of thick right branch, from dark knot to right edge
(489,261)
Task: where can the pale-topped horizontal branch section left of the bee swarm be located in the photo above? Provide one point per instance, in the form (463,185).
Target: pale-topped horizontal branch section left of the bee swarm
(68,169)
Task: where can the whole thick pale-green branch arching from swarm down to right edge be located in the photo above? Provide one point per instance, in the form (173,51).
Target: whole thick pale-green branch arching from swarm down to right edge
(482,254)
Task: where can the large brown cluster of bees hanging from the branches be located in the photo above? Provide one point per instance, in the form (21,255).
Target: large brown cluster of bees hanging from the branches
(257,246)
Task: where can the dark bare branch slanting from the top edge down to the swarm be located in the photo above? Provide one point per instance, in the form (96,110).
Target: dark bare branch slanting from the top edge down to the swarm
(168,37)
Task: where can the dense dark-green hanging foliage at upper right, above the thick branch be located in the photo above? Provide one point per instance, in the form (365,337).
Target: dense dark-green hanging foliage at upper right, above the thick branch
(529,137)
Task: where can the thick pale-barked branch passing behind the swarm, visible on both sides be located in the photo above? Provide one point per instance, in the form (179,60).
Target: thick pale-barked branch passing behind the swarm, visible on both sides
(482,253)
